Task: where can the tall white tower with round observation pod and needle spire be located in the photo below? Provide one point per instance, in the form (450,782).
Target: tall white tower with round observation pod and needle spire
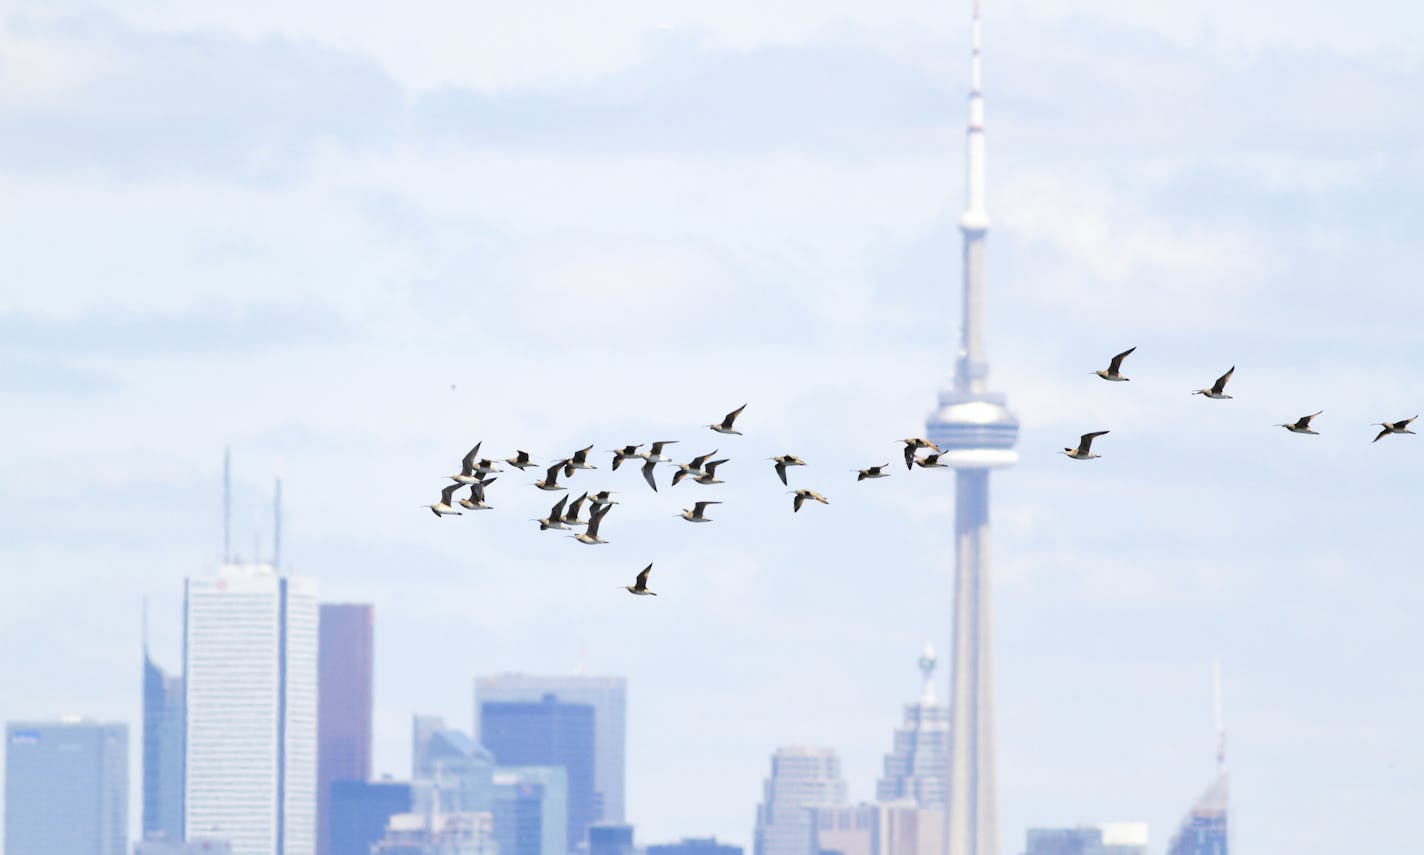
(978,432)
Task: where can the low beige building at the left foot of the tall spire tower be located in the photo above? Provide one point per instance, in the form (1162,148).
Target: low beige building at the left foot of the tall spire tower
(898,829)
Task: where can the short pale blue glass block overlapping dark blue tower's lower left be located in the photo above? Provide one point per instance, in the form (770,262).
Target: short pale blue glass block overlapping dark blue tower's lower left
(532,810)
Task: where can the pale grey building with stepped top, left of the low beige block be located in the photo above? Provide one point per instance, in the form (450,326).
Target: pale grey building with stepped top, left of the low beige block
(802,780)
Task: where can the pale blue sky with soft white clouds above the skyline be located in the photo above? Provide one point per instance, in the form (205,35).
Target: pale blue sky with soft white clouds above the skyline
(352,243)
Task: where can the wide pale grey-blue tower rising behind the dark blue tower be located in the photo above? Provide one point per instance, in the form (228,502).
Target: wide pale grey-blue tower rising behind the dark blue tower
(609,698)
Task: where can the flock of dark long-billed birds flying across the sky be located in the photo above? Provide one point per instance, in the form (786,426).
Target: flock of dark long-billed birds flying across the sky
(479,474)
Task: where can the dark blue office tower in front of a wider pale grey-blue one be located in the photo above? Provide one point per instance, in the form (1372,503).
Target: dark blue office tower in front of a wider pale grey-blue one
(548,733)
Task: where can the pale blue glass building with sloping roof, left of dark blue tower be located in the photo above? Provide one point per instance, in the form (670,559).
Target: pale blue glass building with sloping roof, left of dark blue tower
(458,769)
